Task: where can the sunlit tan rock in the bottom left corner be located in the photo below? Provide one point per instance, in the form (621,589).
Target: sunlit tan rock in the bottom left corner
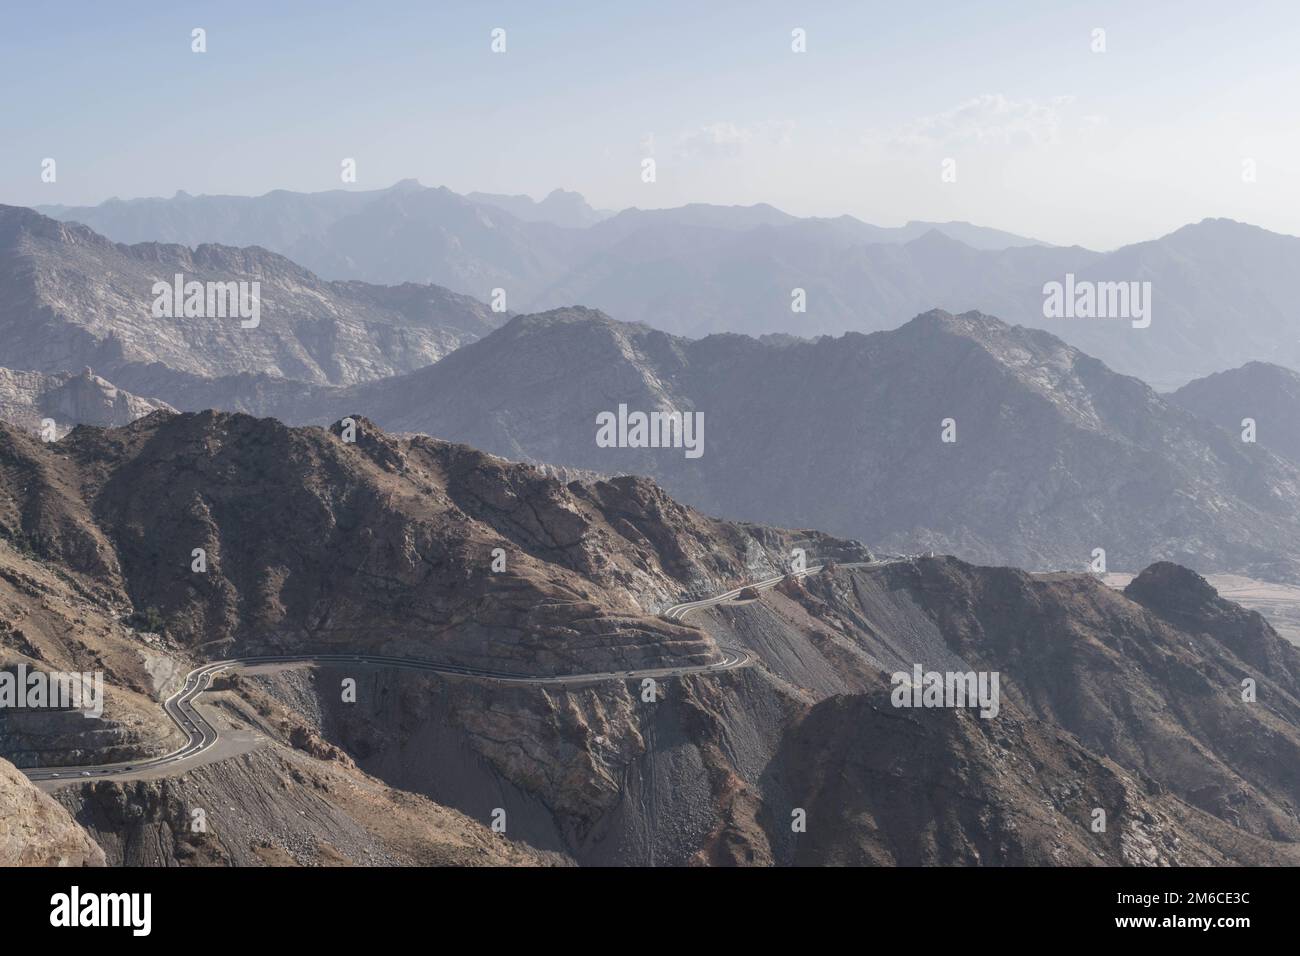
(36,830)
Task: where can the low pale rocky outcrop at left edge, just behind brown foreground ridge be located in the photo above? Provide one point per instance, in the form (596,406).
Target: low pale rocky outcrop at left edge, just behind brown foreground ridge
(28,399)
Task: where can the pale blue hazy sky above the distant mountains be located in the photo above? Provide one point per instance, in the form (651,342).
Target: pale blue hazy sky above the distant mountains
(1050,139)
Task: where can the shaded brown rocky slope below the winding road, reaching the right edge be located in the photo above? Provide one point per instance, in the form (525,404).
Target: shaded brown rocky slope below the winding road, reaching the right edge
(1098,712)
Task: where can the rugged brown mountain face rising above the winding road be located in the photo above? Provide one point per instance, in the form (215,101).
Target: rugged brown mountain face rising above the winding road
(388,543)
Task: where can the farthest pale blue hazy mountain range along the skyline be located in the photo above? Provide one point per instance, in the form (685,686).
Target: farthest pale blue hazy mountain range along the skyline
(1220,289)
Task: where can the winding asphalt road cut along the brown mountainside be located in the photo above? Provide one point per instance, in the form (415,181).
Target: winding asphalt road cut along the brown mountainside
(202,736)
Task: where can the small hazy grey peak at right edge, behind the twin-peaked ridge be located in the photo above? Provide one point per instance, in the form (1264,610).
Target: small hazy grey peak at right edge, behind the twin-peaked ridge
(1263,392)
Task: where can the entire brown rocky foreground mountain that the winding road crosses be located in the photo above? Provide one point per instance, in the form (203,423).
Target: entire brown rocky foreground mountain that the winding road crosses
(1125,703)
